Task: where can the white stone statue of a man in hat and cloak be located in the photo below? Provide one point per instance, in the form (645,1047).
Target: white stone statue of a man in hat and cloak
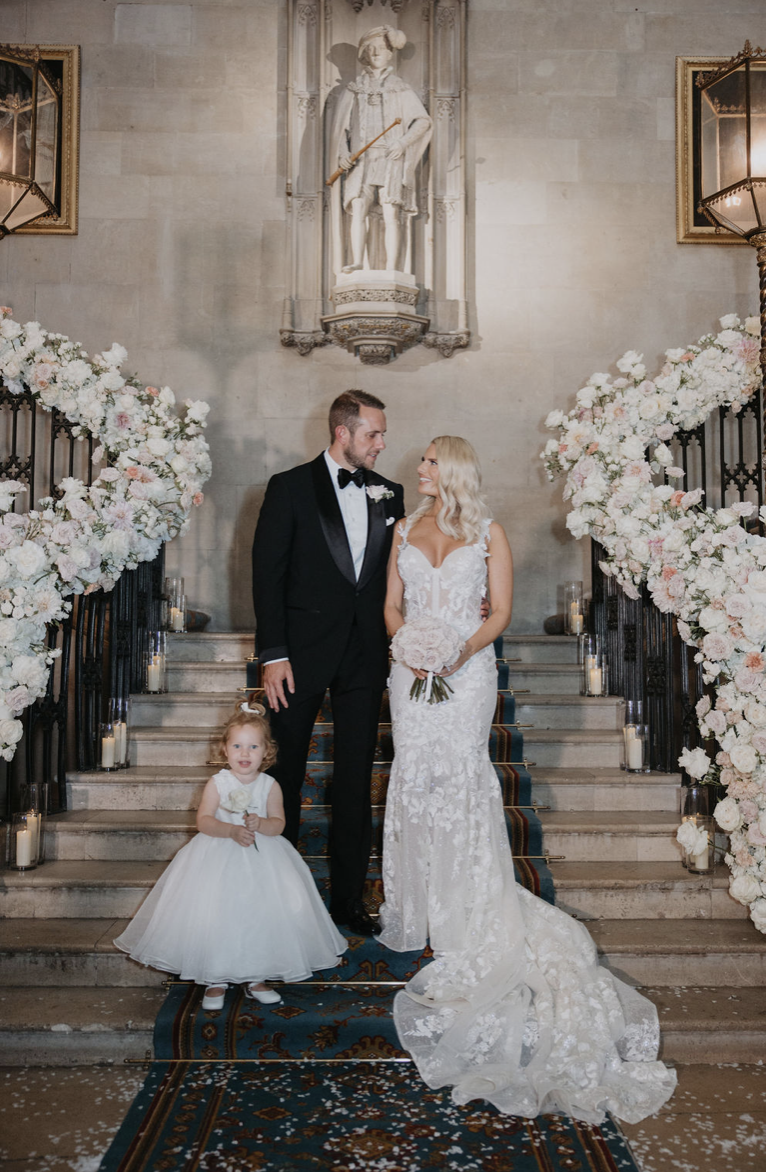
(386,173)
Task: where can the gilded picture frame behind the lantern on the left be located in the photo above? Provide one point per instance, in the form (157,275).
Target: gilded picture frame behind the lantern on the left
(65,64)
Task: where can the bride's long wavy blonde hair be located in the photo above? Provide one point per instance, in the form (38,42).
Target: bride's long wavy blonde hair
(463,508)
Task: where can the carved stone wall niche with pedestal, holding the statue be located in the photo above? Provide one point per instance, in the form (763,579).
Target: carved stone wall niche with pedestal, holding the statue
(365,285)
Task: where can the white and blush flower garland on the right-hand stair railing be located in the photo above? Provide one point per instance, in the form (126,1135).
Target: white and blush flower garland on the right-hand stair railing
(700,564)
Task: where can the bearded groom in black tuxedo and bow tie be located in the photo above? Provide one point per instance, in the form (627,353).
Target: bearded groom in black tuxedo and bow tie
(319,584)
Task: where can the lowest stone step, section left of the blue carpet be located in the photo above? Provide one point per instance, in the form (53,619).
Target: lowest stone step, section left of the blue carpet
(77,1026)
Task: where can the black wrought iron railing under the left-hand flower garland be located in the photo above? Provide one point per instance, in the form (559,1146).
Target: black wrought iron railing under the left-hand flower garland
(104,640)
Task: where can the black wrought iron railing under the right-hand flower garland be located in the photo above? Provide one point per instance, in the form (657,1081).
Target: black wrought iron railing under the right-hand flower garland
(648,660)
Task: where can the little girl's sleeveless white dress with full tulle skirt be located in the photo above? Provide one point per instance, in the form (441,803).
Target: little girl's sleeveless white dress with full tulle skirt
(229,914)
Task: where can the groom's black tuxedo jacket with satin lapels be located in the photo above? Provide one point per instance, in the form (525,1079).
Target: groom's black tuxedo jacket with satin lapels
(305,591)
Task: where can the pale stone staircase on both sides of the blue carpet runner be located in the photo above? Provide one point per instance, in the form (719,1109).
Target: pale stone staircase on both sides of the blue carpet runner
(67,996)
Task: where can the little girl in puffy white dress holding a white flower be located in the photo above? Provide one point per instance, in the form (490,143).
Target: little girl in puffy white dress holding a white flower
(237,904)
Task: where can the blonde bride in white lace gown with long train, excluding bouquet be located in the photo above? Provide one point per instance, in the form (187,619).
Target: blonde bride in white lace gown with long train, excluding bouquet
(515,1009)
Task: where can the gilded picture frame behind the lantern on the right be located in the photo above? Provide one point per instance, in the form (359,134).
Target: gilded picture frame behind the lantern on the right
(692,226)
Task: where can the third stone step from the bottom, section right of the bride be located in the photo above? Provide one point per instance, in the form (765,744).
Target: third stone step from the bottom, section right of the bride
(644,891)
